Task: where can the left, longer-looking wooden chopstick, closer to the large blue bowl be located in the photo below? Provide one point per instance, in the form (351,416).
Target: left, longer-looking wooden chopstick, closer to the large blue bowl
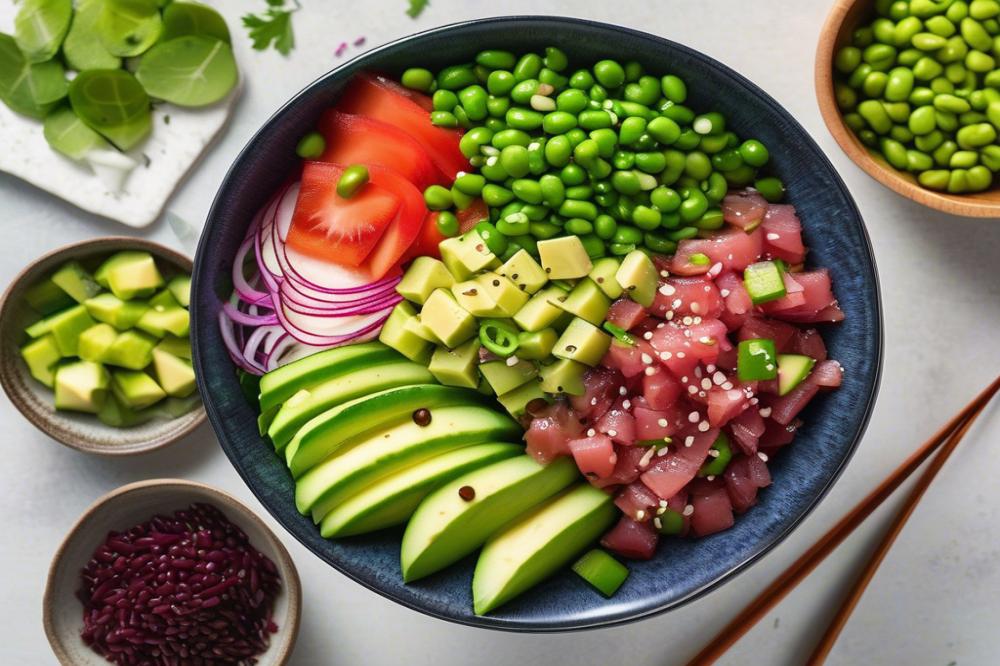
(809,560)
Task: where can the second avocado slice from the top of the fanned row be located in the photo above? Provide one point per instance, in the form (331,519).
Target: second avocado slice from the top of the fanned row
(311,402)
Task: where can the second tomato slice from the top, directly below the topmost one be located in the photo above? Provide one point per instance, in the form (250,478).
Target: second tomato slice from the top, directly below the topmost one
(352,139)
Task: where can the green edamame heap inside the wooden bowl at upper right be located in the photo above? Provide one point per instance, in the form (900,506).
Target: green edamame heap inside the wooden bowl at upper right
(921,85)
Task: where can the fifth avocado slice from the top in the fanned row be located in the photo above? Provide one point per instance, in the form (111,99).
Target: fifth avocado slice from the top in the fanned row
(392,500)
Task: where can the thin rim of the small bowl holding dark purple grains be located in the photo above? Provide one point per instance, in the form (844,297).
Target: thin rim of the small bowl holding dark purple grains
(291,585)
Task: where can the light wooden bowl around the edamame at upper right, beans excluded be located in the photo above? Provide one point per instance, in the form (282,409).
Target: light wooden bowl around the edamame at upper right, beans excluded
(844,17)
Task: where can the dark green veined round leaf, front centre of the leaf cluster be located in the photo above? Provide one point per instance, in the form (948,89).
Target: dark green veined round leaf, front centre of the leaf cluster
(113,103)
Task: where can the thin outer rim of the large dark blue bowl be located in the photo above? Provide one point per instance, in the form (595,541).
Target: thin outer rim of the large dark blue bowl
(516,626)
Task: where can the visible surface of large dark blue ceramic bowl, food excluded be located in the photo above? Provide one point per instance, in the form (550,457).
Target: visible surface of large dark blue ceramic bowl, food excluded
(682,569)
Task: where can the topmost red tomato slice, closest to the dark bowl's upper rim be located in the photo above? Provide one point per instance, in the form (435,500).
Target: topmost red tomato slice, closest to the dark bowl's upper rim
(379,99)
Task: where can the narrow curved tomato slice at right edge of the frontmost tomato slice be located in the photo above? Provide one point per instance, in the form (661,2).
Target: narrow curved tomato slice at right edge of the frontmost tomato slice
(405,229)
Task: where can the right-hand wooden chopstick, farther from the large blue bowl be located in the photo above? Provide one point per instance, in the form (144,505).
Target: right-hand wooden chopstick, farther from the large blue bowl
(843,614)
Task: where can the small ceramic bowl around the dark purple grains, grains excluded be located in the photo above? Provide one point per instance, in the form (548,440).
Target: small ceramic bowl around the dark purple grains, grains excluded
(62,612)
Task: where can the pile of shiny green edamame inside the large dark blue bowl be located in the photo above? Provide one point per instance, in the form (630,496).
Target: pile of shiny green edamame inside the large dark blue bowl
(608,153)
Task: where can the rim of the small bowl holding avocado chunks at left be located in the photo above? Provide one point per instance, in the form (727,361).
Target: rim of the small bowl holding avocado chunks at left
(40,421)
